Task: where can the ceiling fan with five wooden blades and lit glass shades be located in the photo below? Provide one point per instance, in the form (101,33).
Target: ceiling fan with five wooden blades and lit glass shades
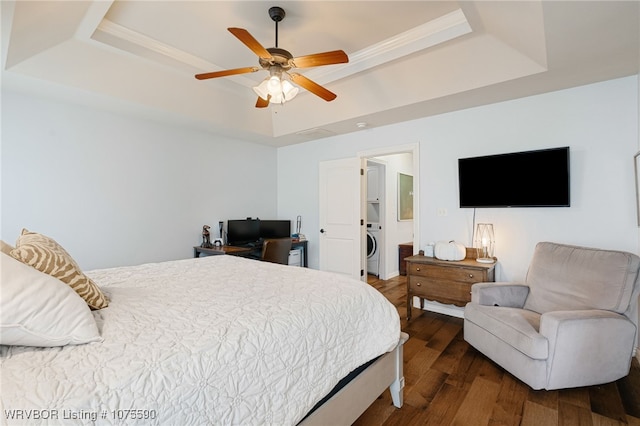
(277,88)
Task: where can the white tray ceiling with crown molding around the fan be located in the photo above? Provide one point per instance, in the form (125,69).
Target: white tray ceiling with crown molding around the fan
(408,59)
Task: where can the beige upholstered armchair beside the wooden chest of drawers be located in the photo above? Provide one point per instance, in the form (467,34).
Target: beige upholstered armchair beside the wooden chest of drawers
(573,322)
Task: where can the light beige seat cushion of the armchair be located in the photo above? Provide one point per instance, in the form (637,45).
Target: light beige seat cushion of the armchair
(516,327)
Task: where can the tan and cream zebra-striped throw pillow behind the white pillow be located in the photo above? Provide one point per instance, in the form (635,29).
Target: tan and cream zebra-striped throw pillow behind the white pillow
(46,255)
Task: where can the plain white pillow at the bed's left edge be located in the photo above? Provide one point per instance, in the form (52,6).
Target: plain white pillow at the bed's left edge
(37,309)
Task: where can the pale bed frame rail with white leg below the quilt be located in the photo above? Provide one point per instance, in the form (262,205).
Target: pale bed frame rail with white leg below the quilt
(353,399)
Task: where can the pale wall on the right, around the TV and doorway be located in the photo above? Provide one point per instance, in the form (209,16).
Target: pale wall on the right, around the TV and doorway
(599,122)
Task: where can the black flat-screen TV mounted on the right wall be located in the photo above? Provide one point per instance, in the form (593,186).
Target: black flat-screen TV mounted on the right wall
(521,179)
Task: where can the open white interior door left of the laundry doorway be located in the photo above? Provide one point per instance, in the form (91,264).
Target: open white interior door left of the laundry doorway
(342,230)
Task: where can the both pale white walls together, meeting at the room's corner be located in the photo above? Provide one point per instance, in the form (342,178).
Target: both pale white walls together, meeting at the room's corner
(170,180)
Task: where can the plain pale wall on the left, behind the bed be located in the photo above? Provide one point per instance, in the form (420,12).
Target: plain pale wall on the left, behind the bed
(118,191)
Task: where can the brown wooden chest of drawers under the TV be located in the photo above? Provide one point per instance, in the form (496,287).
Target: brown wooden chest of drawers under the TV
(447,282)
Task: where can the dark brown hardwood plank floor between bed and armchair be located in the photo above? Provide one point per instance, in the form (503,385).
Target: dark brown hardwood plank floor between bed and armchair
(448,382)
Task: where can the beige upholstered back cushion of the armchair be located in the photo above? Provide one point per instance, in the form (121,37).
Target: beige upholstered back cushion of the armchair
(564,277)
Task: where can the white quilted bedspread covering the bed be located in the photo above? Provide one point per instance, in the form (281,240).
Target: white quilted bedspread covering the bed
(218,340)
